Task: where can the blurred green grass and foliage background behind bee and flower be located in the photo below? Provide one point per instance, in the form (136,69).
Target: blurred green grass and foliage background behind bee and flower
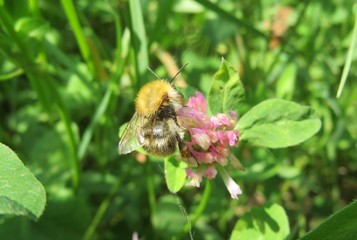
(69,72)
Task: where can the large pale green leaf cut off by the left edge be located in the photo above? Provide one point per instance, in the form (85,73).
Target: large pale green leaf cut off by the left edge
(20,192)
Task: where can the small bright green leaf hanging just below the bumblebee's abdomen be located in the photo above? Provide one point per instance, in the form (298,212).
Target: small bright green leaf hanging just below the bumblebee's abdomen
(175,174)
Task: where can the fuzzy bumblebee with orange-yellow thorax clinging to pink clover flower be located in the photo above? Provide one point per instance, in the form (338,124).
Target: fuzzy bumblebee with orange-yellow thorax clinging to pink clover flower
(154,125)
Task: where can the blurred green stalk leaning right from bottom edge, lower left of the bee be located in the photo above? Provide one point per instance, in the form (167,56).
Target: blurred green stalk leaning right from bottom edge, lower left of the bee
(103,207)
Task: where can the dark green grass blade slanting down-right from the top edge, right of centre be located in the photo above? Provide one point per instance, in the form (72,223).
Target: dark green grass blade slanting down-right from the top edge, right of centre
(231,18)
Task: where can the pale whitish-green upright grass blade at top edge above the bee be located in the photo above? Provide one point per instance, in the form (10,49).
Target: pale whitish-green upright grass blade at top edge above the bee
(139,40)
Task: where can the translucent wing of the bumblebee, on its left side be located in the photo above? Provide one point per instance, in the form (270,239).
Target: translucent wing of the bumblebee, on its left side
(132,137)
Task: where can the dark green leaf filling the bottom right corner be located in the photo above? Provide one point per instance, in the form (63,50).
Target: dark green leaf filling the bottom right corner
(341,225)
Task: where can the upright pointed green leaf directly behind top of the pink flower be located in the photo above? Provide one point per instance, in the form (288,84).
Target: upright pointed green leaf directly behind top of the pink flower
(227,90)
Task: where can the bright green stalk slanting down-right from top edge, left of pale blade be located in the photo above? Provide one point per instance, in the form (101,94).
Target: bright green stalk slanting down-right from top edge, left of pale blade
(72,16)
